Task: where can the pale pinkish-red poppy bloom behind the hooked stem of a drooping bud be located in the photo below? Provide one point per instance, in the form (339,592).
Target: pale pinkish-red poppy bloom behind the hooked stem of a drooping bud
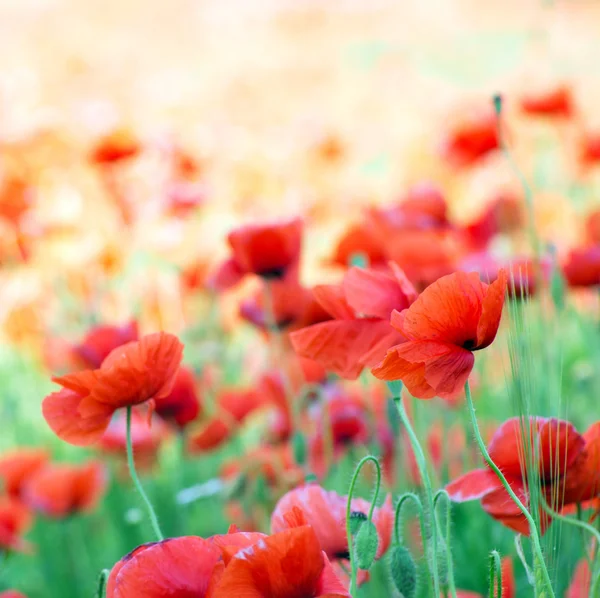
(326,513)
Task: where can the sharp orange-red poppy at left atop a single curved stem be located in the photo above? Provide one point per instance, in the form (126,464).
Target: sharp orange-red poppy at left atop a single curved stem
(132,374)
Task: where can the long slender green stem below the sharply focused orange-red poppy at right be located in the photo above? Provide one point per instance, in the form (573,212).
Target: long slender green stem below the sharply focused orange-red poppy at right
(544,584)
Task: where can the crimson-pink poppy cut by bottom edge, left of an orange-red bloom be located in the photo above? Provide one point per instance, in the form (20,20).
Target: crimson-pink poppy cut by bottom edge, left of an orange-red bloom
(177,567)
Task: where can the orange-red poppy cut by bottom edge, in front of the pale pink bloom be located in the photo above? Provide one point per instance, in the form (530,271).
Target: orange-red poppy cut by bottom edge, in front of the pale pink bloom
(289,564)
